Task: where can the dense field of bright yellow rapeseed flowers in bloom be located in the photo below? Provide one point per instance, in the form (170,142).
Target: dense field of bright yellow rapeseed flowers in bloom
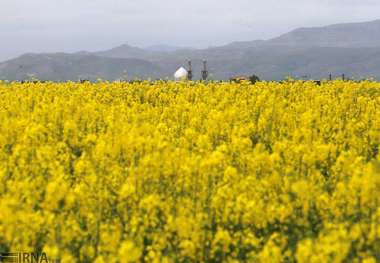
(189,172)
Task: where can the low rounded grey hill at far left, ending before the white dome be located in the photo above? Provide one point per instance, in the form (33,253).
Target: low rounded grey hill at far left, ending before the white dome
(61,67)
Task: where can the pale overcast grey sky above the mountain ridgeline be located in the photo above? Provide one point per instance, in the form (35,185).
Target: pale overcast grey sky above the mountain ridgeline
(72,25)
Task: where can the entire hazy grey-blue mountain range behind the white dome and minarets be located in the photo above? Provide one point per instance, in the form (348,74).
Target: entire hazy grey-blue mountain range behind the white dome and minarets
(352,49)
